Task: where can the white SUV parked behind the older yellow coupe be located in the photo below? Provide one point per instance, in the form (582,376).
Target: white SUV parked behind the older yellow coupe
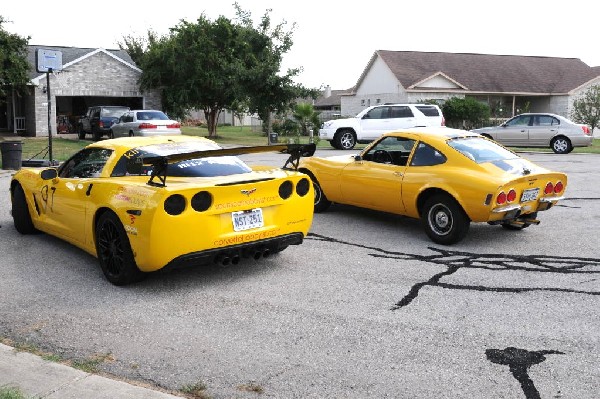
(372,122)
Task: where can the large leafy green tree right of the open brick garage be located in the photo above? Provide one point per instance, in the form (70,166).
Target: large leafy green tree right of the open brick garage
(217,65)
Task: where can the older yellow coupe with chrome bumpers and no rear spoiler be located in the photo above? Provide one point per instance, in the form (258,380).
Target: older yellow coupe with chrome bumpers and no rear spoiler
(446,177)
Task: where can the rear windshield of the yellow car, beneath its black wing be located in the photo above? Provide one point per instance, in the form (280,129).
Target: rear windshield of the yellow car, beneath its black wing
(131,163)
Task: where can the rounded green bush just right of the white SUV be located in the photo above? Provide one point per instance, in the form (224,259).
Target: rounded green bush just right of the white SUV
(465,113)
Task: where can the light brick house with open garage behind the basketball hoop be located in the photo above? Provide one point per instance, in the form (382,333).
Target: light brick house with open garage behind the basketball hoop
(89,77)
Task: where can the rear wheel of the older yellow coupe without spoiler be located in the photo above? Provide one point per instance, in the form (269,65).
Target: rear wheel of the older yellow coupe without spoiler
(444,220)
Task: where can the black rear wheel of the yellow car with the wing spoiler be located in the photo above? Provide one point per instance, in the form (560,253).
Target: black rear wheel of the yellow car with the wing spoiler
(114,251)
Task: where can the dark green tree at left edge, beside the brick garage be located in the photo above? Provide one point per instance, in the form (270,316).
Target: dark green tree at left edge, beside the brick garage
(14,67)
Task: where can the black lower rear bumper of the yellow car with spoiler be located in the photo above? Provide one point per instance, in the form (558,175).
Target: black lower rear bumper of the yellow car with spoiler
(234,253)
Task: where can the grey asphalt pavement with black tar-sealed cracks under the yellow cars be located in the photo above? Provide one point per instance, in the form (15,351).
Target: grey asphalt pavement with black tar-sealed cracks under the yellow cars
(367,307)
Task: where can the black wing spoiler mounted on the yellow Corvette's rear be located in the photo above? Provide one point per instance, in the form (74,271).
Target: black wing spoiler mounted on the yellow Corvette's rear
(160,162)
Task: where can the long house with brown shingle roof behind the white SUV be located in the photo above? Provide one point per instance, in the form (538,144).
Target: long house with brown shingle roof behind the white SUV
(509,84)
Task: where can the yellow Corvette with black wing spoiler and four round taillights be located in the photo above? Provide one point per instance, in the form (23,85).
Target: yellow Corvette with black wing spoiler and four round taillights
(141,204)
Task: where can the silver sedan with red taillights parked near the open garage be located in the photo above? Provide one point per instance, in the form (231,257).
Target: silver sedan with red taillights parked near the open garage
(146,122)
